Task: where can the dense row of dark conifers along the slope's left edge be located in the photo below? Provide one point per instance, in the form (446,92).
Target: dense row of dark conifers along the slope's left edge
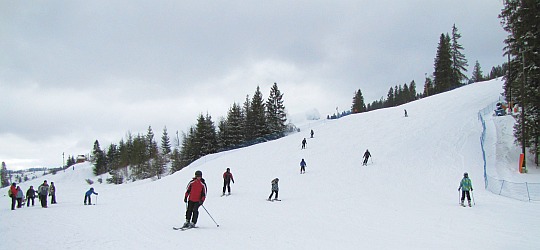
(140,157)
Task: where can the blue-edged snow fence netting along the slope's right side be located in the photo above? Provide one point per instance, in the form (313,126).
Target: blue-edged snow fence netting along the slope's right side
(524,191)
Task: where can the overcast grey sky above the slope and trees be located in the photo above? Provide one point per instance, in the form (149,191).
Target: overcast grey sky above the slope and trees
(72,72)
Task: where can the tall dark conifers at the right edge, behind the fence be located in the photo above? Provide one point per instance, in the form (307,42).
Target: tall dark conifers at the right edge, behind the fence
(522,76)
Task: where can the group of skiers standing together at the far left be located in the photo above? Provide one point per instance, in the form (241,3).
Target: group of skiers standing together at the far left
(18,198)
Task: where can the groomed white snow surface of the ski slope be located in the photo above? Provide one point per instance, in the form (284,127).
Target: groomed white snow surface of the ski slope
(405,198)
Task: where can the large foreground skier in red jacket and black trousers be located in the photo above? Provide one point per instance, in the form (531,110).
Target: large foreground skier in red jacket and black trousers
(194,197)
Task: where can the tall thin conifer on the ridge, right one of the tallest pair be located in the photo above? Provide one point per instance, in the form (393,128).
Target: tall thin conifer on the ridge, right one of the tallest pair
(459,62)
